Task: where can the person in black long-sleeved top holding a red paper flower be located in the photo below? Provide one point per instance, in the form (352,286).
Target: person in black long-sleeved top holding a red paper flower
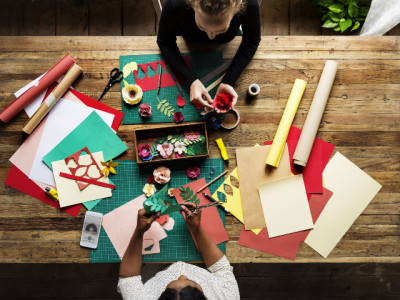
(204,21)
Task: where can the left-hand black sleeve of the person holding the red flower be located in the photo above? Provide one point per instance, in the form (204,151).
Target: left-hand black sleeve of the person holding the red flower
(166,40)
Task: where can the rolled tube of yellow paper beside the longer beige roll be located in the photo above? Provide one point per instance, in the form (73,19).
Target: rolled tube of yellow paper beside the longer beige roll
(275,153)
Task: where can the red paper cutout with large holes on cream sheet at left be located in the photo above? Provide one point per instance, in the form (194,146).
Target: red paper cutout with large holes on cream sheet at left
(79,166)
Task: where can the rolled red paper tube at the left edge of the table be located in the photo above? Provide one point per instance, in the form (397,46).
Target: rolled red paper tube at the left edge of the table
(26,98)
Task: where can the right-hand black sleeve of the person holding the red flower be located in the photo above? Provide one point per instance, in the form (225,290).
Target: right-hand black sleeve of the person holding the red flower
(250,40)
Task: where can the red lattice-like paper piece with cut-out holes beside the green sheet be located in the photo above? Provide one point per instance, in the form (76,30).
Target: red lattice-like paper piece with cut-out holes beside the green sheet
(83,168)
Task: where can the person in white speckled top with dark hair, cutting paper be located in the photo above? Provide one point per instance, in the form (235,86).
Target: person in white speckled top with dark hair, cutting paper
(180,280)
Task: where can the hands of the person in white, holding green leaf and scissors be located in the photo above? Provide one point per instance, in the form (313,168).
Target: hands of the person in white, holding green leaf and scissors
(193,218)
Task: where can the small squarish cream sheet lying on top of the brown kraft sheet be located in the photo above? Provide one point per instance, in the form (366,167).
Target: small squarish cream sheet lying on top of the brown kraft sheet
(285,206)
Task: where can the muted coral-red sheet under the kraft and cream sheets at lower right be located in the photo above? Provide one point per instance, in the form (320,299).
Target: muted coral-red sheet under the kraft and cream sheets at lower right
(286,245)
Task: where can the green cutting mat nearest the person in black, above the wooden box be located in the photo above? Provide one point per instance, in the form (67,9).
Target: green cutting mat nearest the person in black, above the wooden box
(202,64)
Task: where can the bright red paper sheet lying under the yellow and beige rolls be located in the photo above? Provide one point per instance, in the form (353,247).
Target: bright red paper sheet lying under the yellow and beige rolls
(319,157)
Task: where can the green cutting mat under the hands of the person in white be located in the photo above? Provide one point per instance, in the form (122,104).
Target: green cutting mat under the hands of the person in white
(130,179)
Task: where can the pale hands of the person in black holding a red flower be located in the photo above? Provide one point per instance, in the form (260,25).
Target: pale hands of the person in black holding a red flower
(199,94)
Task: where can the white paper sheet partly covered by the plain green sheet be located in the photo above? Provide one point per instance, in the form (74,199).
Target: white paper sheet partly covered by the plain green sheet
(64,117)
